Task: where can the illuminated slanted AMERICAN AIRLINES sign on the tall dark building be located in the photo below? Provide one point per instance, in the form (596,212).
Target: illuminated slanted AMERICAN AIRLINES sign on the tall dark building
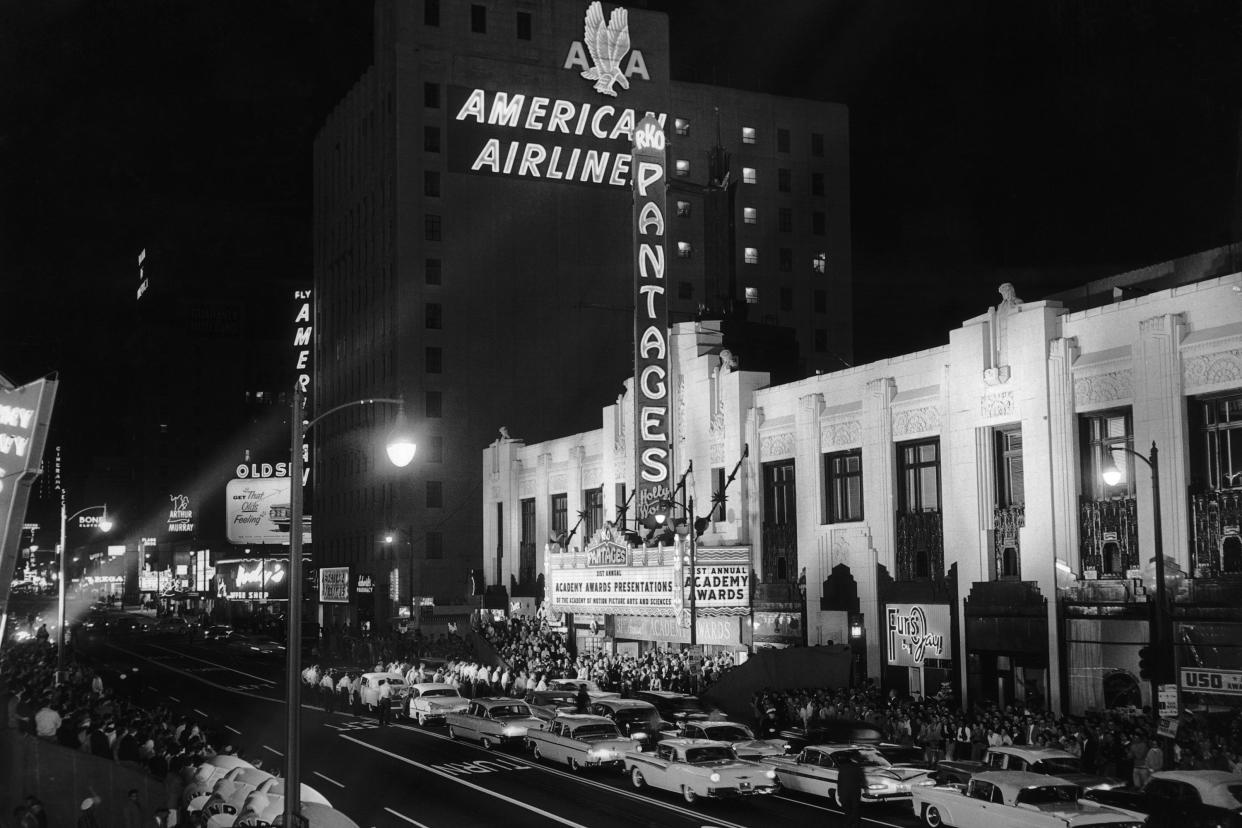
(562,141)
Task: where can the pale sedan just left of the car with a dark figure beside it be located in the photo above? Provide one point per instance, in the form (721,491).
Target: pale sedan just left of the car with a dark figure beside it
(699,768)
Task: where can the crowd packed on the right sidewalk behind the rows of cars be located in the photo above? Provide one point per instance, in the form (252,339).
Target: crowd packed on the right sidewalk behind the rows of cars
(1123,744)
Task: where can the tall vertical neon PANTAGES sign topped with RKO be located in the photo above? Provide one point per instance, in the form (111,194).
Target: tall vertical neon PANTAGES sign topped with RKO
(654,465)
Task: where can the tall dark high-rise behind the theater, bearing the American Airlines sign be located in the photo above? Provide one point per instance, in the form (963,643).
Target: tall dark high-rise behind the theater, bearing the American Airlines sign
(474,245)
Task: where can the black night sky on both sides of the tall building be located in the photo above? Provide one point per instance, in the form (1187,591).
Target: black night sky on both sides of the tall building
(1039,143)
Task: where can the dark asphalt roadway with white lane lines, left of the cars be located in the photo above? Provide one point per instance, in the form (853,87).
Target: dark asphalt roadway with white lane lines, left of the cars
(406,775)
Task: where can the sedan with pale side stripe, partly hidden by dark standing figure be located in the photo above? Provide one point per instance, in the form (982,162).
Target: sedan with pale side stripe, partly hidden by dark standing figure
(815,772)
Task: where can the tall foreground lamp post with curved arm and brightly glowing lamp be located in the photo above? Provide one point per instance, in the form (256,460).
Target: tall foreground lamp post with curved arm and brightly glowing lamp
(401,451)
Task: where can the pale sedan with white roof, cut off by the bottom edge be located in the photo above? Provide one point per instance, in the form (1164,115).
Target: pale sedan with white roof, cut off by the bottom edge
(1017,800)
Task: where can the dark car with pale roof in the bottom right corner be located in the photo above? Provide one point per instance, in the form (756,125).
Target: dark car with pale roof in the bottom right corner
(1183,800)
